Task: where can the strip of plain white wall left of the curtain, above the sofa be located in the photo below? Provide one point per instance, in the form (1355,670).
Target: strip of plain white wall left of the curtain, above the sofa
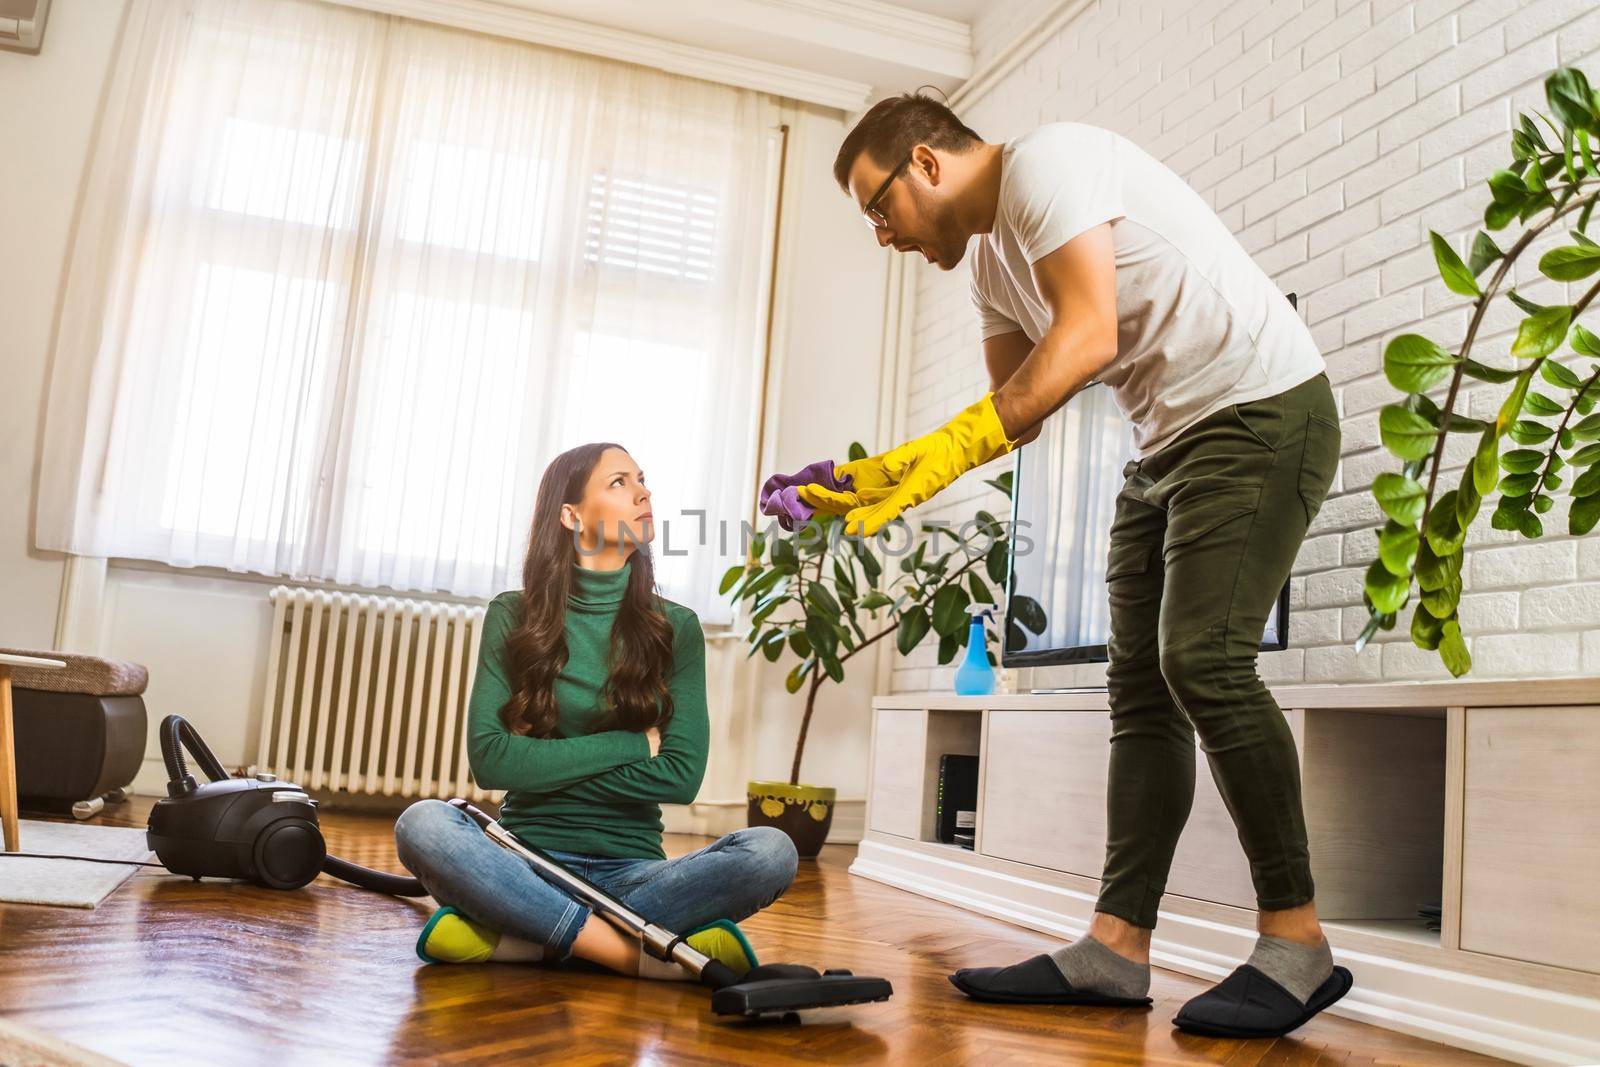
(47,116)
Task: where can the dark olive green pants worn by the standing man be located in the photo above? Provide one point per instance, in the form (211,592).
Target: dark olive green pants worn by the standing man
(1202,543)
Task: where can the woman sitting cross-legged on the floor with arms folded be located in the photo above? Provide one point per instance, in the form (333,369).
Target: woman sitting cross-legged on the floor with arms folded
(590,711)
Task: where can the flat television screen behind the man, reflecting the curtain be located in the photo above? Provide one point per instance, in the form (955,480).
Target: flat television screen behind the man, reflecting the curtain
(1063,500)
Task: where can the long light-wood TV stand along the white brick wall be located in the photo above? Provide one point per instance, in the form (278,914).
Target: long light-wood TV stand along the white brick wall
(1481,797)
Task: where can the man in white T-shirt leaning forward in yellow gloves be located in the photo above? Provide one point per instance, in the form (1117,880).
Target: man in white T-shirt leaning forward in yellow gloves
(1097,263)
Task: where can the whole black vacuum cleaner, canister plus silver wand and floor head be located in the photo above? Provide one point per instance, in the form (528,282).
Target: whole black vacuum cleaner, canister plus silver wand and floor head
(266,833)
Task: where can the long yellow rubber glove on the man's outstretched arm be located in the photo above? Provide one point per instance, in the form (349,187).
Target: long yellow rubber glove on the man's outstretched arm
(903,478)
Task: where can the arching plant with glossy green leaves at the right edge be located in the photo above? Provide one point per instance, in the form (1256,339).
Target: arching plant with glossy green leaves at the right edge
(1548,412)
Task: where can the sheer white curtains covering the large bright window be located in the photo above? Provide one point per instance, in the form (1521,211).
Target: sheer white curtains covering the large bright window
(345,284)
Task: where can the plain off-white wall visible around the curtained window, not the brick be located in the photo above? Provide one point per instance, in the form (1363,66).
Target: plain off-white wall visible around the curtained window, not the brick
(204,633)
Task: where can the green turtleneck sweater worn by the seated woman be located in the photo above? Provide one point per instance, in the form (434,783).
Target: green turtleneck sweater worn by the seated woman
(588,788)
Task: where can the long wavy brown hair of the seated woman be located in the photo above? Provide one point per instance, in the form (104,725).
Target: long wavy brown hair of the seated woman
(641,655)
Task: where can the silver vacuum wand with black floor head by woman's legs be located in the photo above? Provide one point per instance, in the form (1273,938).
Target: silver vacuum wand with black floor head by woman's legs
(770,989)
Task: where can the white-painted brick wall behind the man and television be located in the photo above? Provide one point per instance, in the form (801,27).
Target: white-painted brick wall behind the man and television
(1330,137)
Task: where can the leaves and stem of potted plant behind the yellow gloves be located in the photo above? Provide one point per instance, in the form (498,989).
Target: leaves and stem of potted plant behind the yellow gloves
(825,597)
